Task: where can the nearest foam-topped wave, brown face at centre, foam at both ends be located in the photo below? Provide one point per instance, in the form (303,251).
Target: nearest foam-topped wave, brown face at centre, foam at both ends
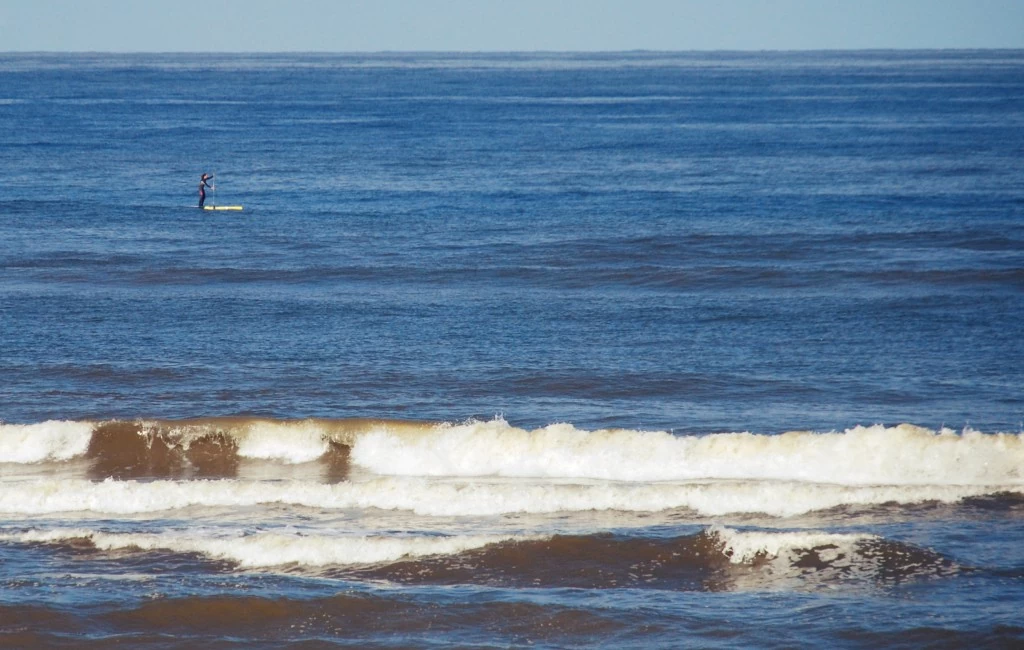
(715,557)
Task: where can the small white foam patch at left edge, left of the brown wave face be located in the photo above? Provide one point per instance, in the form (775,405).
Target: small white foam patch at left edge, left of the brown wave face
(52,441)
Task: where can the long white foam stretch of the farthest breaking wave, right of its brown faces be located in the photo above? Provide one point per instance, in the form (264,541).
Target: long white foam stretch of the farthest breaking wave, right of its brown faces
(864,456)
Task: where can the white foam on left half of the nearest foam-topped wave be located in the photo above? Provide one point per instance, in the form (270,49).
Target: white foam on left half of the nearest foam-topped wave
(271,549)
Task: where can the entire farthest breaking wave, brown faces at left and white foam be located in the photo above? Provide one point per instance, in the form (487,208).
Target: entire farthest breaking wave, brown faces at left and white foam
(904,455)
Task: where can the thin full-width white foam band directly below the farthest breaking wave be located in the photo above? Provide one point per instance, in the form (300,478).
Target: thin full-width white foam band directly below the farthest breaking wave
(454,499)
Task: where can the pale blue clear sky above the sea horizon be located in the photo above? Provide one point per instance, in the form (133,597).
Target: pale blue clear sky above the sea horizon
(370,26)
